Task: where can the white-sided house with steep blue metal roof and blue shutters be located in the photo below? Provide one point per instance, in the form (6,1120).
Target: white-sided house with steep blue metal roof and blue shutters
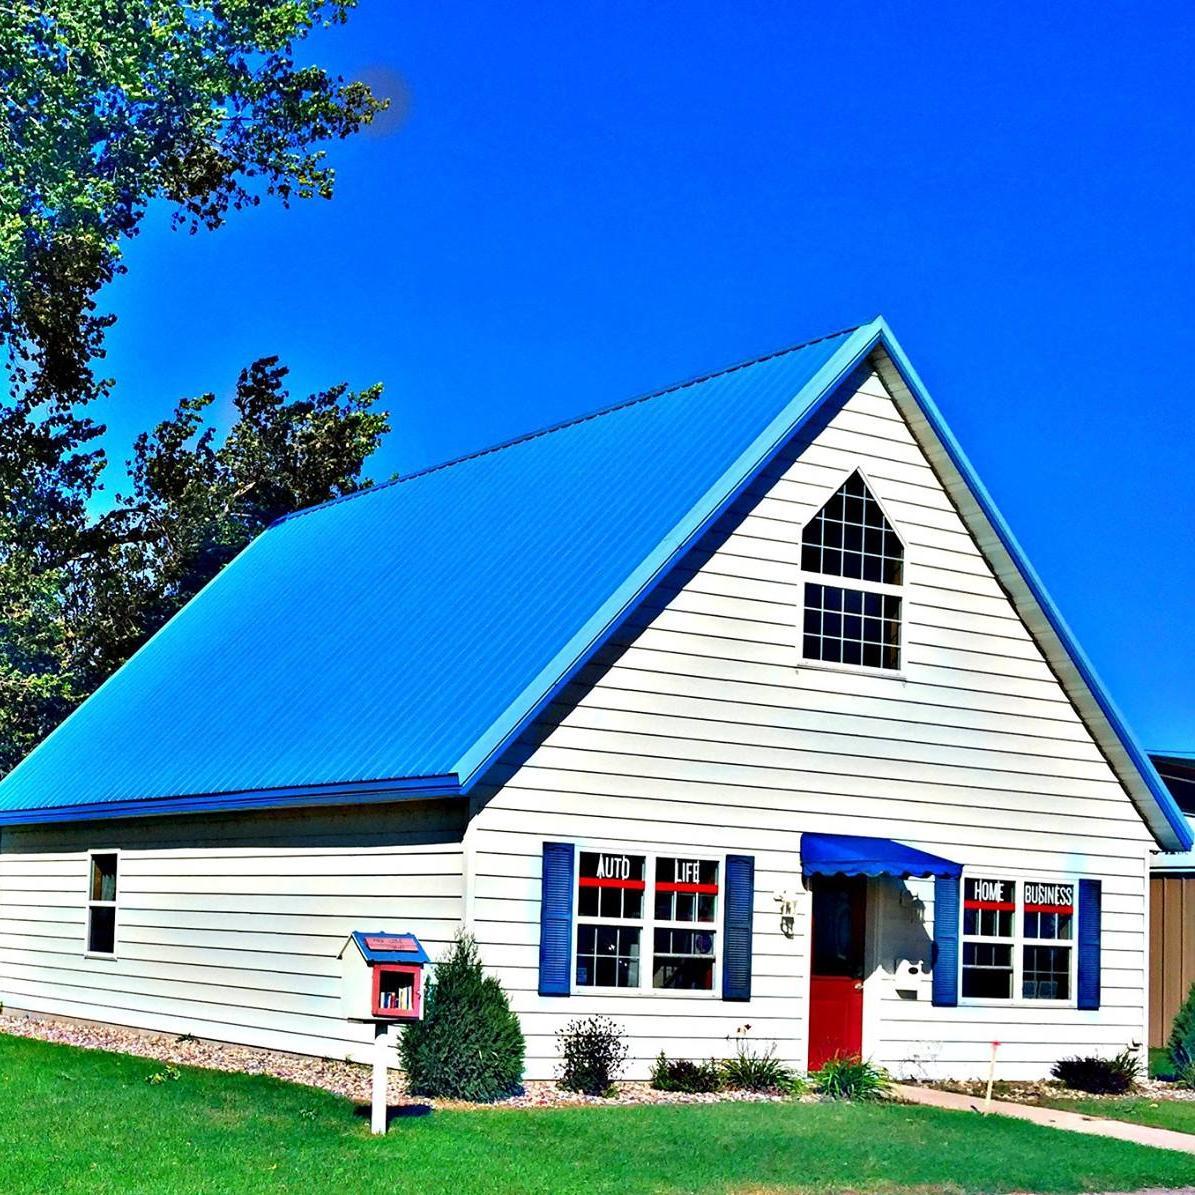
(733,704)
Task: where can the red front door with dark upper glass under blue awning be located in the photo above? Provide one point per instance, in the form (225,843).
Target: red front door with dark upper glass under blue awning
(836,982)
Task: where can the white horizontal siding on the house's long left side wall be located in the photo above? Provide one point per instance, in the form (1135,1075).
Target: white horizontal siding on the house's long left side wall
(229,928)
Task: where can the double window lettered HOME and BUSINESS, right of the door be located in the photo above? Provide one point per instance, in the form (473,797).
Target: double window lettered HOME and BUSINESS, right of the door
(1018,940)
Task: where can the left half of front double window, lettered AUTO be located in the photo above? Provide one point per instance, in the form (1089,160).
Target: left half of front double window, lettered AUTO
(611,891)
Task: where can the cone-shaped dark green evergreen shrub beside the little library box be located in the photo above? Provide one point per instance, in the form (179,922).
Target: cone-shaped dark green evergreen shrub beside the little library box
(469,1045)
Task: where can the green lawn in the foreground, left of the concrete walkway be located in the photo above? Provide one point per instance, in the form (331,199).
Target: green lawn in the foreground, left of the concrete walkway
(82,1120)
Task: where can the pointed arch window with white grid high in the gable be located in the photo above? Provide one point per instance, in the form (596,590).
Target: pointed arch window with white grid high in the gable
(854,565)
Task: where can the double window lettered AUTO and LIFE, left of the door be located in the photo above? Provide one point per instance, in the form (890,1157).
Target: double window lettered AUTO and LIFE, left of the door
(632,939)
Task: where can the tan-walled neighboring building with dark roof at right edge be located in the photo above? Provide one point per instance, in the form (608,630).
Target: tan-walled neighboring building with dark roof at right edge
(1173,910)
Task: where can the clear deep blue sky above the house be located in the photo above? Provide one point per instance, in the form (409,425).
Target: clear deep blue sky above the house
(577,204)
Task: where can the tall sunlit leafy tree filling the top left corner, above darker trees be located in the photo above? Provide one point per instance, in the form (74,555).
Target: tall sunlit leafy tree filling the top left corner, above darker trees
(111,106)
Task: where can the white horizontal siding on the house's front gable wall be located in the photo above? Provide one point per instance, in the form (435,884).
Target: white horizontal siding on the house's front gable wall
(700,731)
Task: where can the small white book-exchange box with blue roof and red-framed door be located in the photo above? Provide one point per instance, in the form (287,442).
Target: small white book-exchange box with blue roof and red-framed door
(383,977)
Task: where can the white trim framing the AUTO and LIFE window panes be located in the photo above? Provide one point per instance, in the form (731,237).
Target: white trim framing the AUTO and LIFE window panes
(648,924)
